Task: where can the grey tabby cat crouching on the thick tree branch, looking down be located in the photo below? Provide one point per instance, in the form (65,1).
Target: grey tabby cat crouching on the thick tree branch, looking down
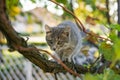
(65,39)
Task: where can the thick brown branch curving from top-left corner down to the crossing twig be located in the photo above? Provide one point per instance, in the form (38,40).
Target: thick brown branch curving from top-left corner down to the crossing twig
(15,42)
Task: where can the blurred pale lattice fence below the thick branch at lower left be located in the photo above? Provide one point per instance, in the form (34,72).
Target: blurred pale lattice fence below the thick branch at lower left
(16,67)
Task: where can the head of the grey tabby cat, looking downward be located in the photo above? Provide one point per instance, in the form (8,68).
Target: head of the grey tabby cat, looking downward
(57,37)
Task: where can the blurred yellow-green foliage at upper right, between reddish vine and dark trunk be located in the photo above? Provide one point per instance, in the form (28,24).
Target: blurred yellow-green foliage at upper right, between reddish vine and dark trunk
(93,9)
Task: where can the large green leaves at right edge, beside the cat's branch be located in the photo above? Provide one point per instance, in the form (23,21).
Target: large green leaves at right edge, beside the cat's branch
(111,50)
